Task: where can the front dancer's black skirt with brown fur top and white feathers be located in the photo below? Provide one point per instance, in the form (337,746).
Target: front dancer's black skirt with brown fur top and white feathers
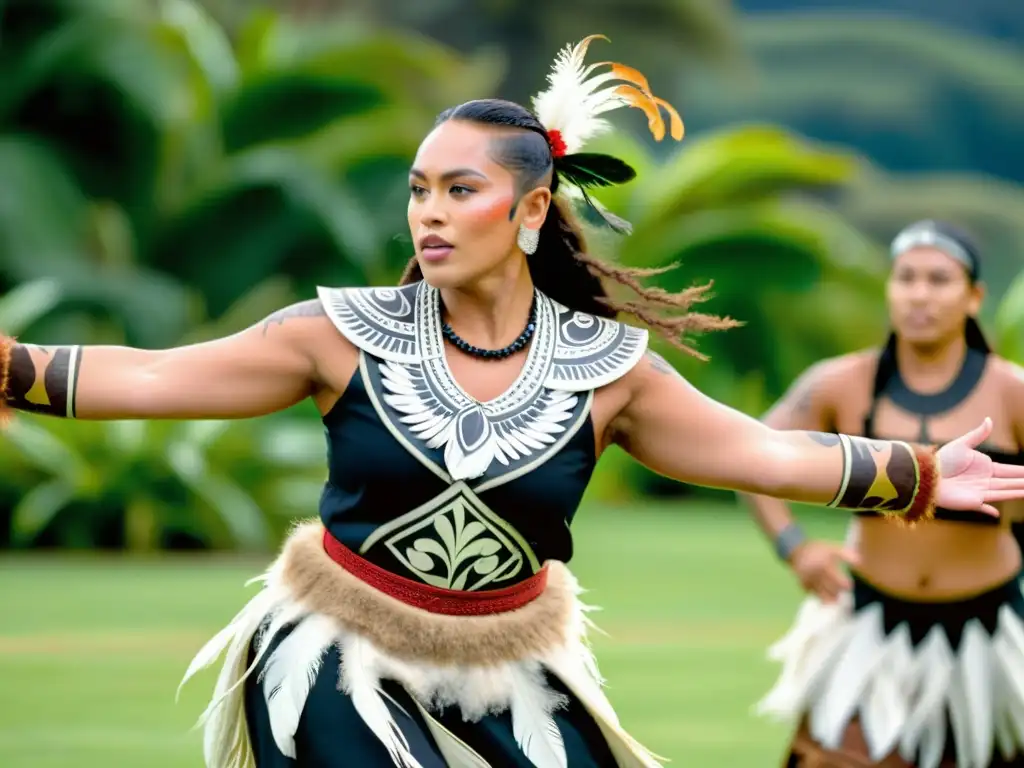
(325,670)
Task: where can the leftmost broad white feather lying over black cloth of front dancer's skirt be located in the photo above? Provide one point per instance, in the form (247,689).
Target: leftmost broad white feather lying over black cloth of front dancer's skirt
(290,674)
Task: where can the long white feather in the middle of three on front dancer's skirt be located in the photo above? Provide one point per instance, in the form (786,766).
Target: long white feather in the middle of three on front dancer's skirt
(361,680)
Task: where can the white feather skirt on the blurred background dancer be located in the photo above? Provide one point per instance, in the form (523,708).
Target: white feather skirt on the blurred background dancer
(839,664)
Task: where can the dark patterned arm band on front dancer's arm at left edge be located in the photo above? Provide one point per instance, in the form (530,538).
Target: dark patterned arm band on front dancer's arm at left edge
(45,386)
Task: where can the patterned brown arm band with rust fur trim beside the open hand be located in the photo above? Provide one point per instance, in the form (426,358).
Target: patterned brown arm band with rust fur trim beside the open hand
(897,479)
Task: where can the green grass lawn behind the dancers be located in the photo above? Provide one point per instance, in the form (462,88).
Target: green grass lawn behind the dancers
(92,650)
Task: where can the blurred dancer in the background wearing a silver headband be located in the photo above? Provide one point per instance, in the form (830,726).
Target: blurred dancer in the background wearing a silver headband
(922,662)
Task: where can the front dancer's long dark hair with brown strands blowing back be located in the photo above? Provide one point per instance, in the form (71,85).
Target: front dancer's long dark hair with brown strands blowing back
(562,268)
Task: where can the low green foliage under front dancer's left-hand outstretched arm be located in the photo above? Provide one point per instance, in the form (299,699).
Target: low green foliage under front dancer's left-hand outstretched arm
(145,485)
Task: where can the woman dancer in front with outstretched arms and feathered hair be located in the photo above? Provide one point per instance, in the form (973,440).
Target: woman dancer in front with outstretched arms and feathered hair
(428,618)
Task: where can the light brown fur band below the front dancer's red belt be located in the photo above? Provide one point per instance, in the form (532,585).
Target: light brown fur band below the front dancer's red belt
(413,634)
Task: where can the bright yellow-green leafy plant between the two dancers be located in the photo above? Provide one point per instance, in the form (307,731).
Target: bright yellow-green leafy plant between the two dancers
(745,208)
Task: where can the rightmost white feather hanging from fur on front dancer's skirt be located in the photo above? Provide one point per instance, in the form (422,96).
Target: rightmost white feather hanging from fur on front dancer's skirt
(531,706)
